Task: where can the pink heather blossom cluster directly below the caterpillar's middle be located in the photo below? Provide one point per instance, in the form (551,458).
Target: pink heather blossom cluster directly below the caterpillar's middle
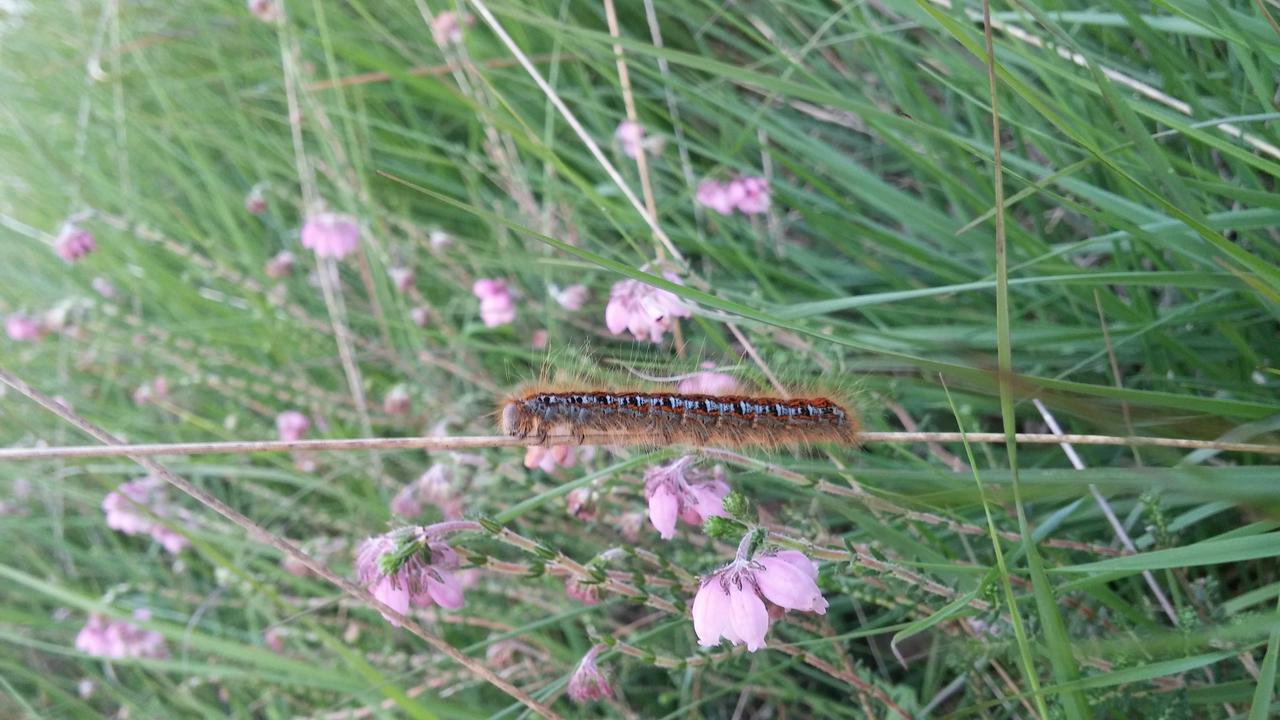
(679,490)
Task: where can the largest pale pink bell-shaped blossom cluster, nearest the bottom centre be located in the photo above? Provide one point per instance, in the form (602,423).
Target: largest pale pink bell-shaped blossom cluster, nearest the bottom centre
(732,603)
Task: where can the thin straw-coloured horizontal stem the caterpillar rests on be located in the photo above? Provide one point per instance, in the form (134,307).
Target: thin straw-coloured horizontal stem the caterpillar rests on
(473,443)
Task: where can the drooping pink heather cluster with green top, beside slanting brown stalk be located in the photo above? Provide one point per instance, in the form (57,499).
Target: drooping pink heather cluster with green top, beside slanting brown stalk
(419,581)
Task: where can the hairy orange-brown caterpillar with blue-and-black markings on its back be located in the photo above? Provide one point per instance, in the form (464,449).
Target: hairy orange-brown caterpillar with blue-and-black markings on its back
(678,418)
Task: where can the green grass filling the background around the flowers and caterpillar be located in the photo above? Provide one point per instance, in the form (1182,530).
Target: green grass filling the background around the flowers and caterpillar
(877,268)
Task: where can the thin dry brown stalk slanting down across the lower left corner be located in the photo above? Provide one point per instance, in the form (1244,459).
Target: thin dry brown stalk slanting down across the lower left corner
(285,546)
